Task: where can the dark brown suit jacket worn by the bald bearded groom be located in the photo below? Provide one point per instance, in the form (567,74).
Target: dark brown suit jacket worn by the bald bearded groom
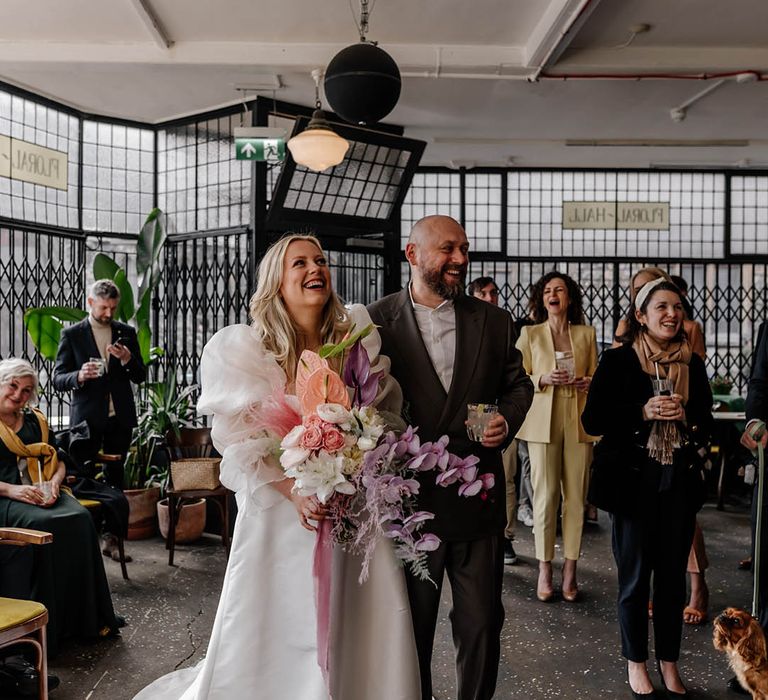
(487,369)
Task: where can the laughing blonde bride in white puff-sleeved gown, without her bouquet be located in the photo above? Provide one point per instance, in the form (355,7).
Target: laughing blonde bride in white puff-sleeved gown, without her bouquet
(263,643)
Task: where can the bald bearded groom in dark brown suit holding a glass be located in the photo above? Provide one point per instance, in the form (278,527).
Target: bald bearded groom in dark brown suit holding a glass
(447,350)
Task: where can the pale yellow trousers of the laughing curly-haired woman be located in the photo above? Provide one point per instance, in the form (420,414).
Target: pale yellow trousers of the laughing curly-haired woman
(560,468)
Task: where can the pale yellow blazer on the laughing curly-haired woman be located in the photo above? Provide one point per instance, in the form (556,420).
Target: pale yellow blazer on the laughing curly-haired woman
(538,350)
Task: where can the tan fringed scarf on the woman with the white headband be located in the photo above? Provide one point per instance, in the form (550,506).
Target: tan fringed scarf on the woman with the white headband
(671,362)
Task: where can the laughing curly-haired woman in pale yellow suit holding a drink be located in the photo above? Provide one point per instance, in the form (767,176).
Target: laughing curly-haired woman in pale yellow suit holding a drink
(560,355)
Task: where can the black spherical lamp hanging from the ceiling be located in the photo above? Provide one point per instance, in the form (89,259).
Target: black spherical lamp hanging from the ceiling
(362,83)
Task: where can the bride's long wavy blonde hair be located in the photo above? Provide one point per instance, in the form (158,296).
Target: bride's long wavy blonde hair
(271,319)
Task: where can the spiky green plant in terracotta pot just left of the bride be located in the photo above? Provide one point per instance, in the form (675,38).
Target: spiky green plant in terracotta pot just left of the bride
(162,408)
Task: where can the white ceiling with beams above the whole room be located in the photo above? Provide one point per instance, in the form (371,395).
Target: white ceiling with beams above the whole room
(485,82)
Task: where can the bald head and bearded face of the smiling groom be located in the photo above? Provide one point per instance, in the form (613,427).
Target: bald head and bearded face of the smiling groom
(437,252)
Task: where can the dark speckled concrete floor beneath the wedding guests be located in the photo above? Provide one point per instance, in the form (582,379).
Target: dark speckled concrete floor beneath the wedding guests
(556,650)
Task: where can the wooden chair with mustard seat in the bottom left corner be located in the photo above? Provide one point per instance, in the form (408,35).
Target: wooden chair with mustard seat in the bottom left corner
(24,621)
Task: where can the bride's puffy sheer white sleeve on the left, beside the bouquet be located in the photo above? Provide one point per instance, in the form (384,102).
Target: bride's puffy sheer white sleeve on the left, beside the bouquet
(237,374)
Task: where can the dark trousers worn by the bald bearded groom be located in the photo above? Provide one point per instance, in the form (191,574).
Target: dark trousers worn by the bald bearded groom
(475,570)
